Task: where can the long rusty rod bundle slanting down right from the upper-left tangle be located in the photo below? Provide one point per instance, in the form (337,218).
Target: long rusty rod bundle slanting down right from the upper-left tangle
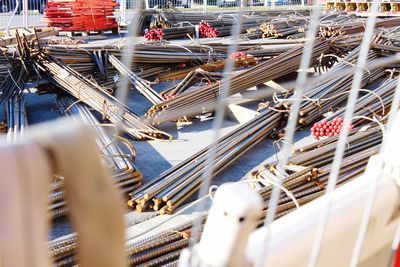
(91,94)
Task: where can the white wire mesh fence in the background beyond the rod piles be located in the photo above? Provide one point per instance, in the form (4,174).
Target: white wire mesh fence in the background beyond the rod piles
(29,13)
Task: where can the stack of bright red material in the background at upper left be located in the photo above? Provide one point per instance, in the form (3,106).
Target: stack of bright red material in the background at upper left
(81,15)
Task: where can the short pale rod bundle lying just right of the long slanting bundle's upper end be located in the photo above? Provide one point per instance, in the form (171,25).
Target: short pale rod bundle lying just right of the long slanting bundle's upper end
(138,83)
